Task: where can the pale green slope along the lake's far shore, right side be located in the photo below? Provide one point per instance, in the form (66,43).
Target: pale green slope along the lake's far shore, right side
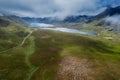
(101,30)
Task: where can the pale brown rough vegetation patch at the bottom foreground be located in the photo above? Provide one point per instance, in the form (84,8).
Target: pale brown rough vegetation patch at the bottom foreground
(73,68)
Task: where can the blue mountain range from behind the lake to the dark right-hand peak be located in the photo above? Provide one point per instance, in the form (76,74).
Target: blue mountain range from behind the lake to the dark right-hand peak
(110,11)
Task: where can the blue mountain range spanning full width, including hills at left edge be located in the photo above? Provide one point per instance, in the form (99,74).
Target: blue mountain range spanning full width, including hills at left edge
(108,12)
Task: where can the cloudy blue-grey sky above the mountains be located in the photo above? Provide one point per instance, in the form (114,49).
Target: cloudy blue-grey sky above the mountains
(55,8)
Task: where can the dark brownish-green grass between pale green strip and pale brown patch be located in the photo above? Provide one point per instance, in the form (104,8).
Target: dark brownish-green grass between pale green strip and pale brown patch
(46,57)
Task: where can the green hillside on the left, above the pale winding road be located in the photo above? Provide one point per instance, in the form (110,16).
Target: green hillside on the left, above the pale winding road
(11,36)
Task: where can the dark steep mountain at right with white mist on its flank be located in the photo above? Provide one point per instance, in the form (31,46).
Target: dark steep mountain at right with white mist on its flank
(107,20)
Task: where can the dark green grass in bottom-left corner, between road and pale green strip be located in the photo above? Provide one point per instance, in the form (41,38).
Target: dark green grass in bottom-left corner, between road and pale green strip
(13,66)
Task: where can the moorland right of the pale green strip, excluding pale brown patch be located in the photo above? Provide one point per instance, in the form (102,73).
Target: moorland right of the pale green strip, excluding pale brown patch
(52,47)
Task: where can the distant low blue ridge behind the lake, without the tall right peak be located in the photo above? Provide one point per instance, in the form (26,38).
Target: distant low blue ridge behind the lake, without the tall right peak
(69,19)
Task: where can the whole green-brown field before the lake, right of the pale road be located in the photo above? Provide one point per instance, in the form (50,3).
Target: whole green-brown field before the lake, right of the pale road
(52,55)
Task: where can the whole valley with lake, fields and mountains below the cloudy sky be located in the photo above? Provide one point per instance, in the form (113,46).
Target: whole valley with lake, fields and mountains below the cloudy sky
(79,47)
